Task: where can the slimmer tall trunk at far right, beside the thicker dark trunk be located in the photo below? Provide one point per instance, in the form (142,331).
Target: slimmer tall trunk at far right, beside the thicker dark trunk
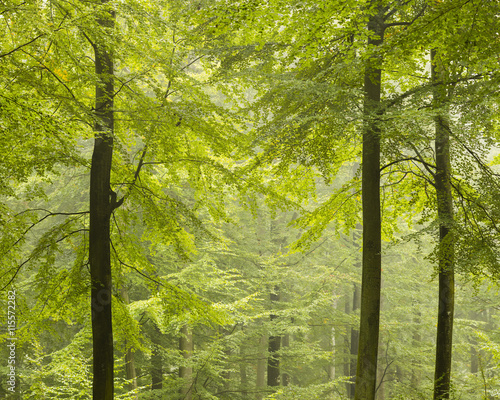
(446,255)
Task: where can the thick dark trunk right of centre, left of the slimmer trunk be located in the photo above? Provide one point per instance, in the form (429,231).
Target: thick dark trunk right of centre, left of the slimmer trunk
(366,370)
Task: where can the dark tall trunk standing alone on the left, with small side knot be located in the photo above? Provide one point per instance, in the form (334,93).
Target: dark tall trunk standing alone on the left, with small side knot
(100,212)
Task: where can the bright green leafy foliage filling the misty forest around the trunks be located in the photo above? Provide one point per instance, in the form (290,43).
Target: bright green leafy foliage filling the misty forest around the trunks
(229,117)
